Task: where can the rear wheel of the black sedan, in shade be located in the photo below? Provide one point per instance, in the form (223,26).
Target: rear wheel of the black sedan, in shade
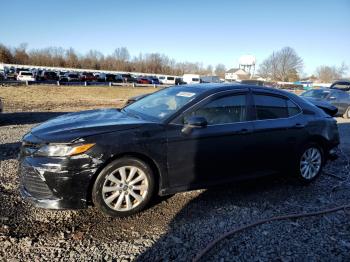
(310,163)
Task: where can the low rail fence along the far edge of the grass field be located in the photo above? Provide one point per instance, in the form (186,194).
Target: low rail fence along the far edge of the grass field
(59,83)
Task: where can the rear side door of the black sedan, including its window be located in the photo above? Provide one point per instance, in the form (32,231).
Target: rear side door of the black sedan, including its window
(278,130)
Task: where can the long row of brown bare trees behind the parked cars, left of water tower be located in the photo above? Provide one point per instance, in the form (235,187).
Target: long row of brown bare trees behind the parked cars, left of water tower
(119,60)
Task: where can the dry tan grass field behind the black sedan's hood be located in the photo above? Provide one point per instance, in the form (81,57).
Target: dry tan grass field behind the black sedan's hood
(66,98)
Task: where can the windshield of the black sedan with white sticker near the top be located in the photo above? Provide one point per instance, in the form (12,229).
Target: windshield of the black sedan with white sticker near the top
(160,105)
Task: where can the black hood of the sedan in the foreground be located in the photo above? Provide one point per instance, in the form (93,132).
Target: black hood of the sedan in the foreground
(70,127)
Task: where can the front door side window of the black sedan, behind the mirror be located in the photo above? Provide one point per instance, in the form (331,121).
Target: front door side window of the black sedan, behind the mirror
(224,110)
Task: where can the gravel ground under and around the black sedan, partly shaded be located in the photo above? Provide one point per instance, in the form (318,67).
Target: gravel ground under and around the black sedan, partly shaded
(177,228)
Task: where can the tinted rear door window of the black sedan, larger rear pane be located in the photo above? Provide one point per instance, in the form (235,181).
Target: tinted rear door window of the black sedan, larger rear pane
(270,107)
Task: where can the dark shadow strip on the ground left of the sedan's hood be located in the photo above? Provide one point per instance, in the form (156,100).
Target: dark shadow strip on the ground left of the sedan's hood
(23,118)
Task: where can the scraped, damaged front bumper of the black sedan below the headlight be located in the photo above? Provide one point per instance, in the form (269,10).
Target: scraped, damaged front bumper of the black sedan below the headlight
(57,183)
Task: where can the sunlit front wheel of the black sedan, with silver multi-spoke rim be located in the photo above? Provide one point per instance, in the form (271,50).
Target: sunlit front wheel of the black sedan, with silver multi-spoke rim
(115,192)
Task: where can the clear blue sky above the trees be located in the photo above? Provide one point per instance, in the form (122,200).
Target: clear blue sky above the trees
(210,32)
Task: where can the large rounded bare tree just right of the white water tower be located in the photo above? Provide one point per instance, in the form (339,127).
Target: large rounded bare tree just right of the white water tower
(283,65)
